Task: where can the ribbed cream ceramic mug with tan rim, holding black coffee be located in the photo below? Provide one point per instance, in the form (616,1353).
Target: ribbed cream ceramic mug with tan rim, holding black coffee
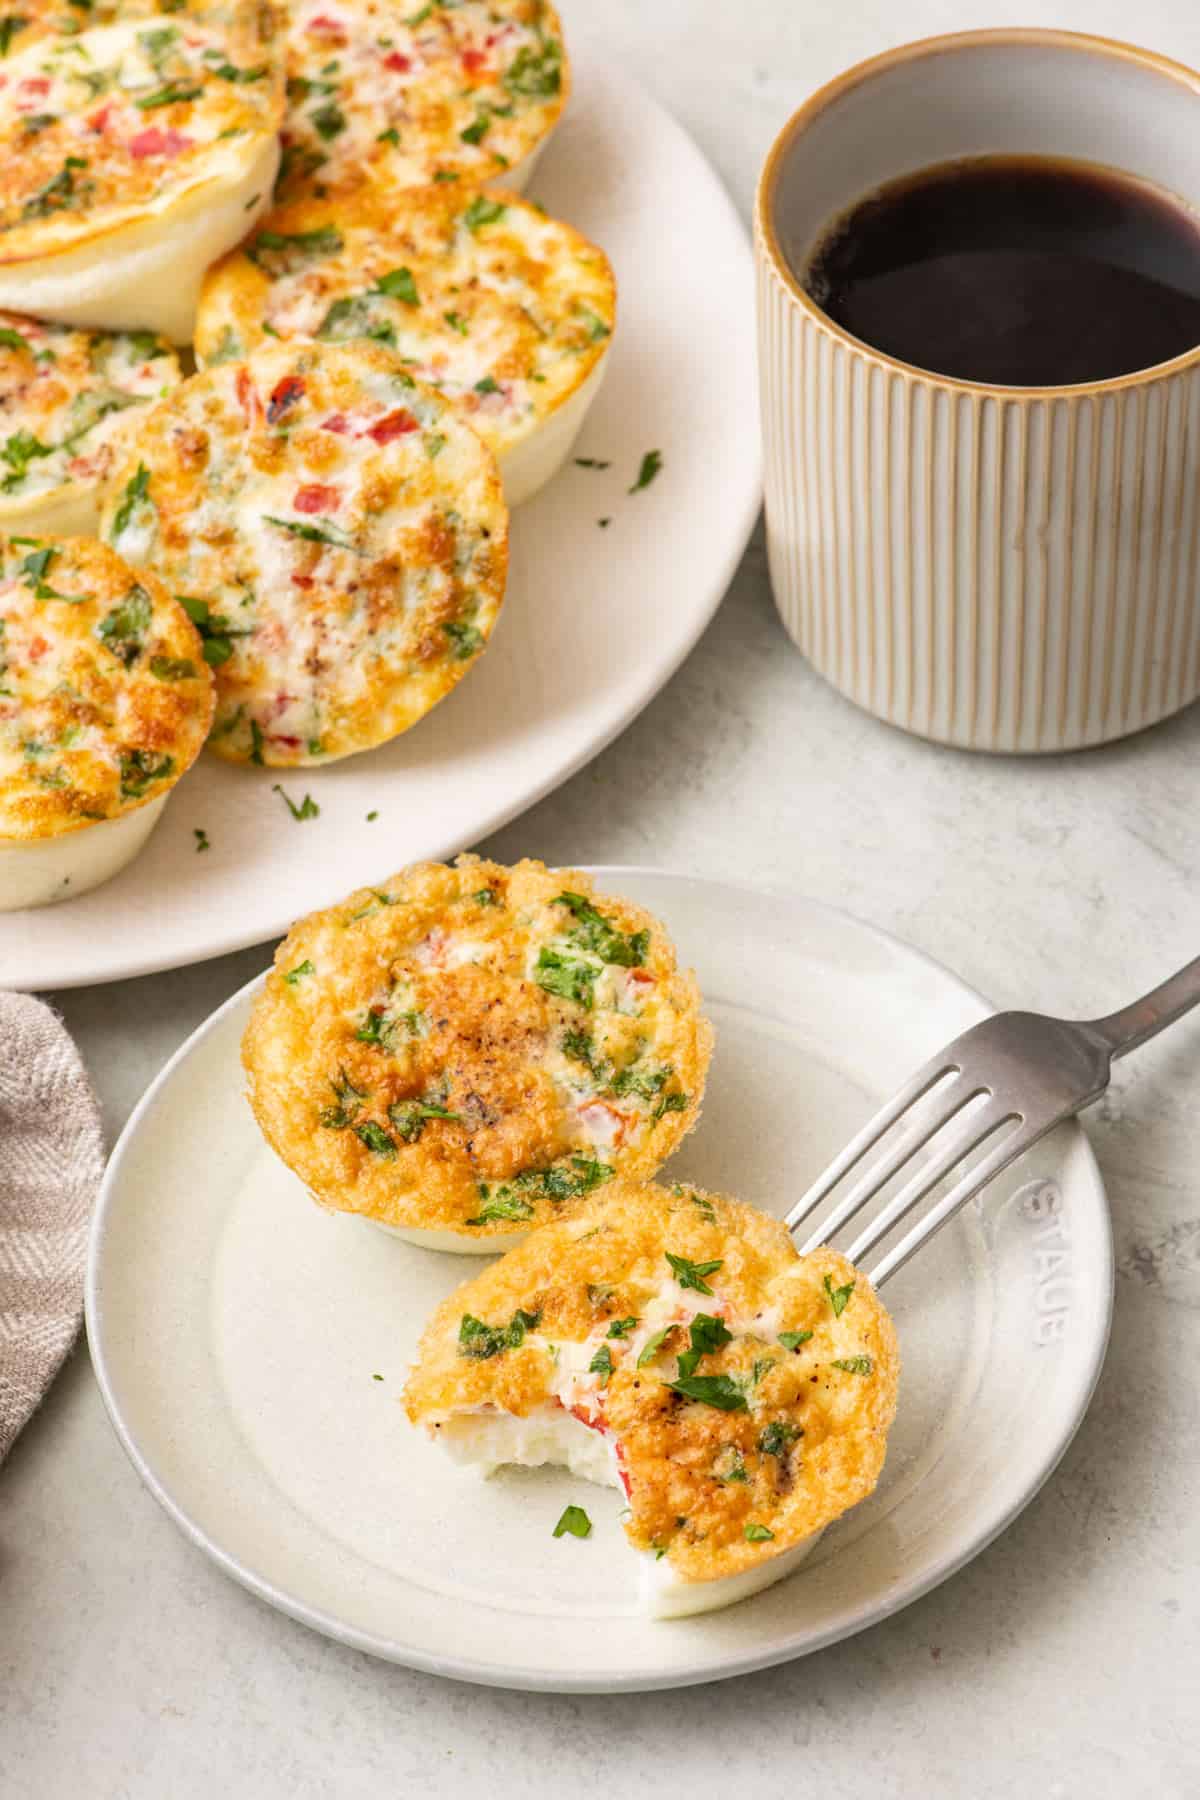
(998,568)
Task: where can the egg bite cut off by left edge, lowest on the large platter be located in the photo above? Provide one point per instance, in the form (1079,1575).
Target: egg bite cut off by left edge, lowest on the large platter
(105,703)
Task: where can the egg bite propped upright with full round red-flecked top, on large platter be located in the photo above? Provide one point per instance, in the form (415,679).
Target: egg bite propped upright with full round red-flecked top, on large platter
(337,532)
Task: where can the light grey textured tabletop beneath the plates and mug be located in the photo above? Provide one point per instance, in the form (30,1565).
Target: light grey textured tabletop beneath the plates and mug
(1064,1660)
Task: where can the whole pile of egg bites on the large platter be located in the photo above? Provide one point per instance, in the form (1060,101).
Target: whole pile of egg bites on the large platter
(280,348)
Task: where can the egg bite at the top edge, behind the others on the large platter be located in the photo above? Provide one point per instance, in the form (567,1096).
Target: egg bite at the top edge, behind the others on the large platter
(406,96)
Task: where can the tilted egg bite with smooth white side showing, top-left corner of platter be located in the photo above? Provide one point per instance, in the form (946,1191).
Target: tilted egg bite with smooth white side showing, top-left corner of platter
(132,157)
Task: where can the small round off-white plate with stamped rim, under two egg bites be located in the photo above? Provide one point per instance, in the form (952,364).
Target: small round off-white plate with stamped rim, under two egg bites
(251,1349)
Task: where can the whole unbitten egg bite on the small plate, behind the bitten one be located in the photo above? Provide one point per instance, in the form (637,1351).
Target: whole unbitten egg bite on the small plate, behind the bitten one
(465,1052)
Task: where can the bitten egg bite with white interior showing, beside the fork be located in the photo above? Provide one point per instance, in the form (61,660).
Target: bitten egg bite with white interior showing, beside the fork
(674,1344)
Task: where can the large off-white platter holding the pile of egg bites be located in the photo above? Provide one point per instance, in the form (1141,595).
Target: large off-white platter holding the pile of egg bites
(596,616)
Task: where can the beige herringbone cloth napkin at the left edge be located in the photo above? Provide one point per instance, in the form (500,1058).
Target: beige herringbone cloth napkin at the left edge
(51,1162)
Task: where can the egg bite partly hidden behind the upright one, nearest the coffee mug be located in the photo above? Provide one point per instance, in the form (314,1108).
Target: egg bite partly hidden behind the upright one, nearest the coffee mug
(487,300)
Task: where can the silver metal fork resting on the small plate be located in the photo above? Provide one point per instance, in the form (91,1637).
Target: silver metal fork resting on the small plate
(1005,1084)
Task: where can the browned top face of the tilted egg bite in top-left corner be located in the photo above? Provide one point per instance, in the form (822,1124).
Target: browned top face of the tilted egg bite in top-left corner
(112,125)
